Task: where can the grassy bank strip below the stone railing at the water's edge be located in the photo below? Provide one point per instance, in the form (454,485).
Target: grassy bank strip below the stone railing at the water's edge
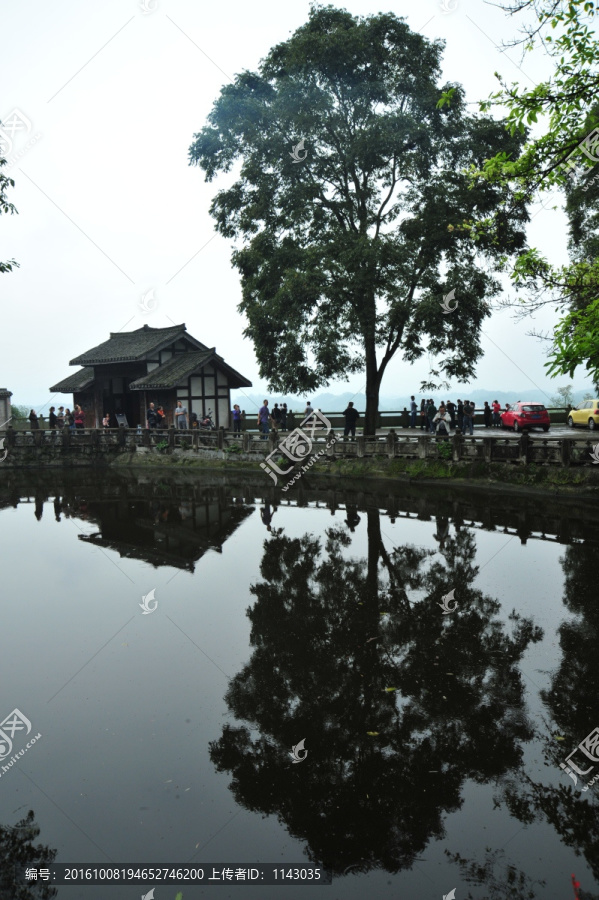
(576,479)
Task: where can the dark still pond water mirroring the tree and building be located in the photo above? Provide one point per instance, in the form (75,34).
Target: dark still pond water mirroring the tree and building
(315,618)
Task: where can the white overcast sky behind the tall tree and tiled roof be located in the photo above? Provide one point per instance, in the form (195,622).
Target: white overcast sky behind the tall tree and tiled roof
(109,208)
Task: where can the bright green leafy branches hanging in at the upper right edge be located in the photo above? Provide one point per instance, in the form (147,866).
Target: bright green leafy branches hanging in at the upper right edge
(561,156)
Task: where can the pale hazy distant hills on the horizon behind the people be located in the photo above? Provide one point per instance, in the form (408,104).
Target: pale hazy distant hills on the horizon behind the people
(337,402)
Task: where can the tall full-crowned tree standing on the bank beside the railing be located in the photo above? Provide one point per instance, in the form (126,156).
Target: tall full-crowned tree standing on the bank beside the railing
(350,239)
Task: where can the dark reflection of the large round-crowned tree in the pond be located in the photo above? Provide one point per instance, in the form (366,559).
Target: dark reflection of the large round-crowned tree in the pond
(398,703)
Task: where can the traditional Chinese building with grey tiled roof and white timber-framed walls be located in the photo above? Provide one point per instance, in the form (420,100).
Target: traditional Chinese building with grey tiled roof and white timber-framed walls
(132,369)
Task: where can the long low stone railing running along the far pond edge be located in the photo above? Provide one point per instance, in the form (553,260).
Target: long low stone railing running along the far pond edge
(84,446)
